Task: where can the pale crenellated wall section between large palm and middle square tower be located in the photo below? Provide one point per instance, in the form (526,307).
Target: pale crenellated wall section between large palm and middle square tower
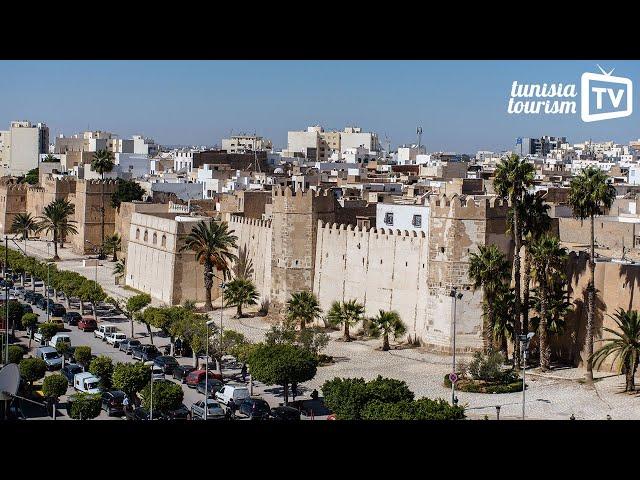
(255,235)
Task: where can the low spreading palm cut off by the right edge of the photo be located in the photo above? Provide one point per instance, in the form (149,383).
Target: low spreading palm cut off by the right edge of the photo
(625,346)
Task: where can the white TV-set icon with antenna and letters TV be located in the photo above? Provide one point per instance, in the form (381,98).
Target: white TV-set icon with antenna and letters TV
(604,96)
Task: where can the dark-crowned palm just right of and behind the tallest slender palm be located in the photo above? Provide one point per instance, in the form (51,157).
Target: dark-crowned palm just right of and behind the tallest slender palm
(535,221)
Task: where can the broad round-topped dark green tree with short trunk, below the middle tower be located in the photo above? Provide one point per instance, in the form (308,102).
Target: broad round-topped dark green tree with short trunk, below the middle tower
(281,365)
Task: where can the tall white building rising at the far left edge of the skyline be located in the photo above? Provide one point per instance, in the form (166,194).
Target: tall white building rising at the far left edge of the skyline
(21,146)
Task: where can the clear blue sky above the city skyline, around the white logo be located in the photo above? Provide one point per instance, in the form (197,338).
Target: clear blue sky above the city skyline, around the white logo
(461,105)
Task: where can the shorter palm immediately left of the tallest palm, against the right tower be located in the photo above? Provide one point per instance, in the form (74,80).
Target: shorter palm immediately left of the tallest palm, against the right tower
(488,269)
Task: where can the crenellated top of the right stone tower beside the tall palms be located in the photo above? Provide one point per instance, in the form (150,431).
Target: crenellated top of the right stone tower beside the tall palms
(467,207)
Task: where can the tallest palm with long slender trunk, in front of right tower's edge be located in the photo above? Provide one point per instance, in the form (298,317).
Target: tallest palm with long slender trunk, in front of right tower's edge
(512,177)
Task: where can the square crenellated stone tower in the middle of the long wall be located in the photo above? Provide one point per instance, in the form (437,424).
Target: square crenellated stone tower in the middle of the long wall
(295,216)
